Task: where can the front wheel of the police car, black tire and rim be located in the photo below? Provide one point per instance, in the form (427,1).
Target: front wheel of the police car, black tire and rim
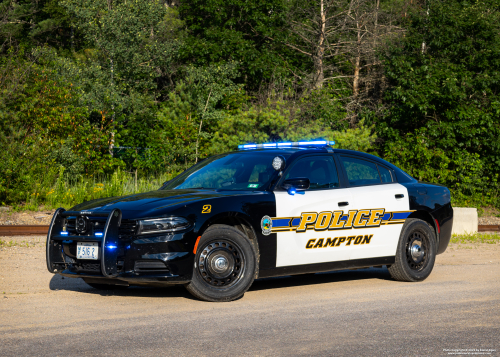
(225,265)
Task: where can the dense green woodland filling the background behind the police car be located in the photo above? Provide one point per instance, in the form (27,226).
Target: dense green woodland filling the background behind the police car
(110,98)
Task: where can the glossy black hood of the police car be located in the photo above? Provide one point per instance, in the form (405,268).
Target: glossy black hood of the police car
(152,203)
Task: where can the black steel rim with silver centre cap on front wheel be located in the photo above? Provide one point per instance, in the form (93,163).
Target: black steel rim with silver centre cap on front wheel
(221,263)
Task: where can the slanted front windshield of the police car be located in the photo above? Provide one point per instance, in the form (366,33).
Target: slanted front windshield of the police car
(235,171)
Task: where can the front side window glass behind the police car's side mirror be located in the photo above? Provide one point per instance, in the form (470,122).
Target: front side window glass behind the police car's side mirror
(320,170)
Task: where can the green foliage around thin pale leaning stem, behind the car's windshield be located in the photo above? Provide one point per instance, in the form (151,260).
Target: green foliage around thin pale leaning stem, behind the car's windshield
(187,121)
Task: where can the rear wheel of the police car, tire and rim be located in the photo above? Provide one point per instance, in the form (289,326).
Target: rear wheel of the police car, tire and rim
(416,252)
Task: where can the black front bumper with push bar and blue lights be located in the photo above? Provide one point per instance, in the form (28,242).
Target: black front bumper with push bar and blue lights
(166,258)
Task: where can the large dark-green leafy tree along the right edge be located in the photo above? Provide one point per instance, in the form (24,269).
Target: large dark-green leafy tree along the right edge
(444,77)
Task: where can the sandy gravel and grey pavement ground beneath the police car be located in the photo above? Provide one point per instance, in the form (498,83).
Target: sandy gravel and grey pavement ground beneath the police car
(344,313)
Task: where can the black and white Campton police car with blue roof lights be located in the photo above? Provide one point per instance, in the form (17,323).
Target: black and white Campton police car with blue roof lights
(266,210)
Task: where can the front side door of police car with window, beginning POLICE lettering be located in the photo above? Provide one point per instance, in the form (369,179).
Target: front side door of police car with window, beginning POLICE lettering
(304,221)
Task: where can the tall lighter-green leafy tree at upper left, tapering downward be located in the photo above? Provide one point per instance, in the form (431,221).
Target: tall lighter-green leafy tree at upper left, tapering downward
(125,72)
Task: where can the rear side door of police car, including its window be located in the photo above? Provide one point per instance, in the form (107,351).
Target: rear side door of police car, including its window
(382,207)
